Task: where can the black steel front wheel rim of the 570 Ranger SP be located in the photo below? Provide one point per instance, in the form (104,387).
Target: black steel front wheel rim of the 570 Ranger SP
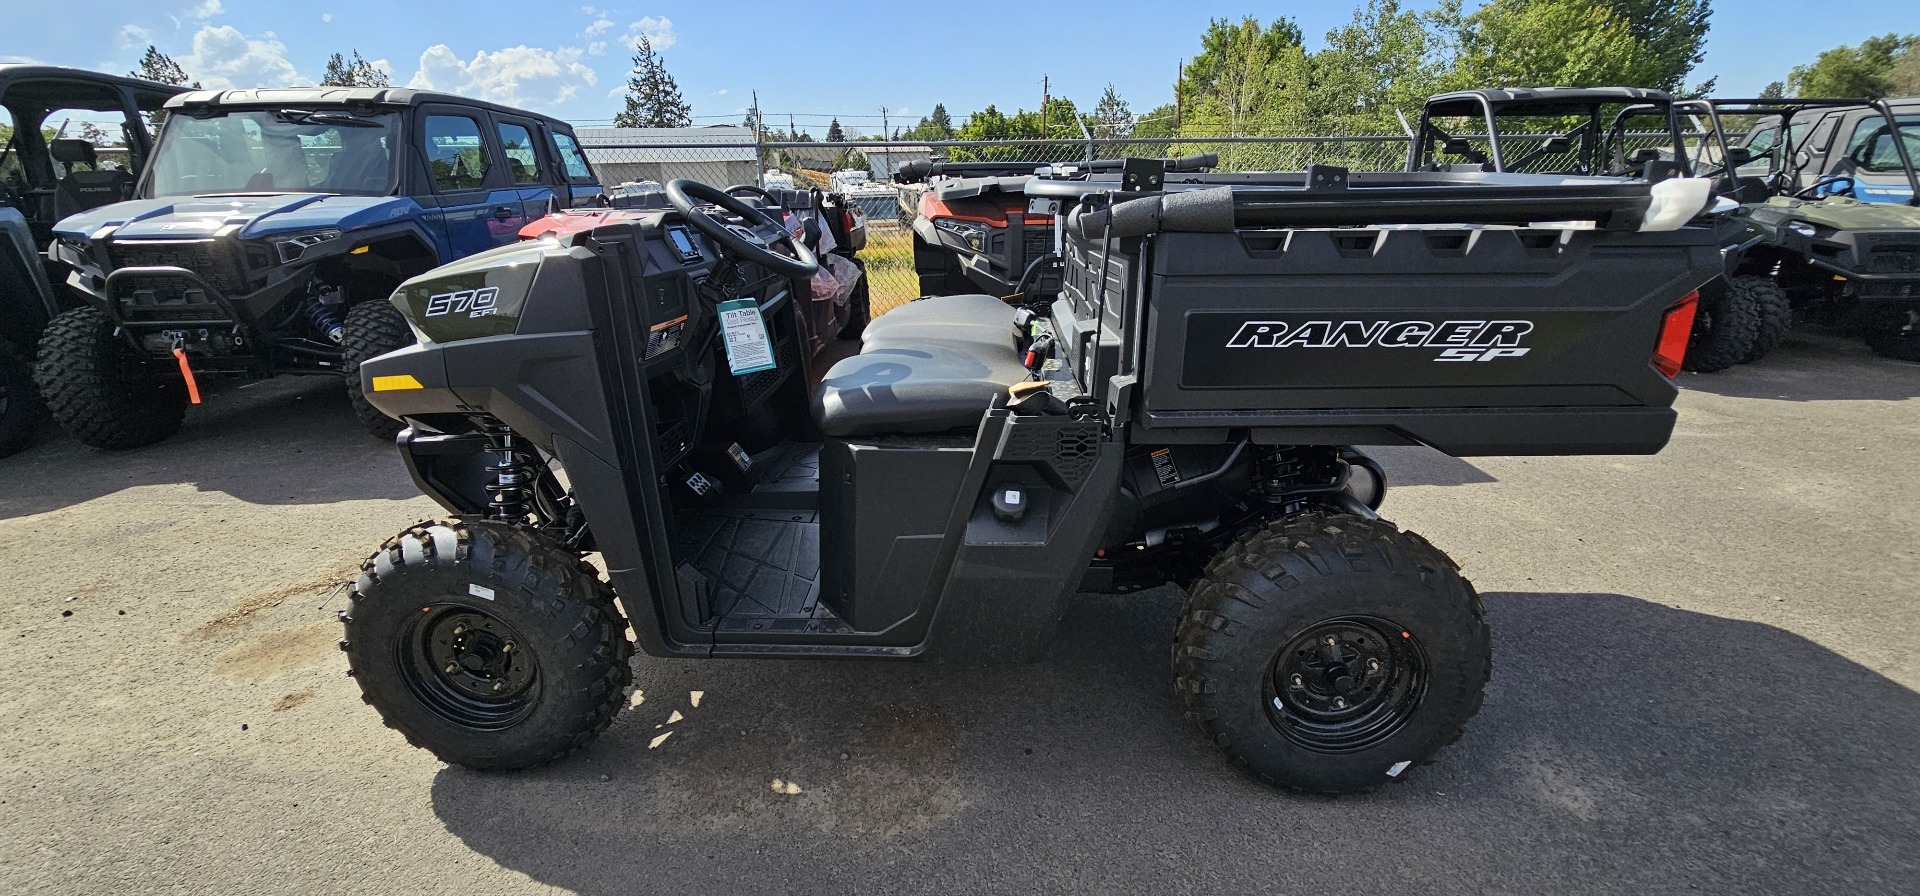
(469,669)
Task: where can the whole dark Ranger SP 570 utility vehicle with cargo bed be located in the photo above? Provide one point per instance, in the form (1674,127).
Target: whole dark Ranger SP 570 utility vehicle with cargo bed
(1186,412)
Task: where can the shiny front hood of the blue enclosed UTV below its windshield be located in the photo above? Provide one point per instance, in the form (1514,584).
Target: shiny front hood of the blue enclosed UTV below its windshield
(256,216)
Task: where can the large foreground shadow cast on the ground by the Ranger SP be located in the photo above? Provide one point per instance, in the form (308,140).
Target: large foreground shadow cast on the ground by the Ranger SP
(1625,747)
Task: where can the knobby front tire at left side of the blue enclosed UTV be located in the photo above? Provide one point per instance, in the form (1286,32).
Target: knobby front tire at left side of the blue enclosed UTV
(103,390)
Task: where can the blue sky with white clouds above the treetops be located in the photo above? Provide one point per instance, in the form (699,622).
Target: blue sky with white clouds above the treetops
(846,60)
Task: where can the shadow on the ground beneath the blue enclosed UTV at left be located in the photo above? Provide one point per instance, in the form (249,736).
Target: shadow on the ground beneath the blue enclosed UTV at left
(277,442)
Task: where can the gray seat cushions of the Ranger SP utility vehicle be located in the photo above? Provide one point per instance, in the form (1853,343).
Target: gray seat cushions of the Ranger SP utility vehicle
(932,367)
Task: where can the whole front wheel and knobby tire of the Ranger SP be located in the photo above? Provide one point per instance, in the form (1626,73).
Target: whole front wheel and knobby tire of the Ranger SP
(533,636)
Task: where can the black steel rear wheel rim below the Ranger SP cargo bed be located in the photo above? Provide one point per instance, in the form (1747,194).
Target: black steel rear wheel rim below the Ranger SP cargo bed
(1347,684)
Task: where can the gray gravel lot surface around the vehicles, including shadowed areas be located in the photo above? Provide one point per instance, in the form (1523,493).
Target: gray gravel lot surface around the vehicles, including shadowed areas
(1706,680)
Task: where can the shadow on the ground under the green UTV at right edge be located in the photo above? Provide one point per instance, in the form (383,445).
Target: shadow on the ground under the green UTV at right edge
(1815,365)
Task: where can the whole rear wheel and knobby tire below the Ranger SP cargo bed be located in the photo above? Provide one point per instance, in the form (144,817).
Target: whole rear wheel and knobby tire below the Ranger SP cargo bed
(1404,671)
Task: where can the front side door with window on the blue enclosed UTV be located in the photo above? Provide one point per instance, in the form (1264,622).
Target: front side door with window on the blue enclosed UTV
(475,202)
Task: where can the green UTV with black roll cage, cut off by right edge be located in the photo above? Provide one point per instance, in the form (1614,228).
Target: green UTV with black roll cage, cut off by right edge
(1844,235)
